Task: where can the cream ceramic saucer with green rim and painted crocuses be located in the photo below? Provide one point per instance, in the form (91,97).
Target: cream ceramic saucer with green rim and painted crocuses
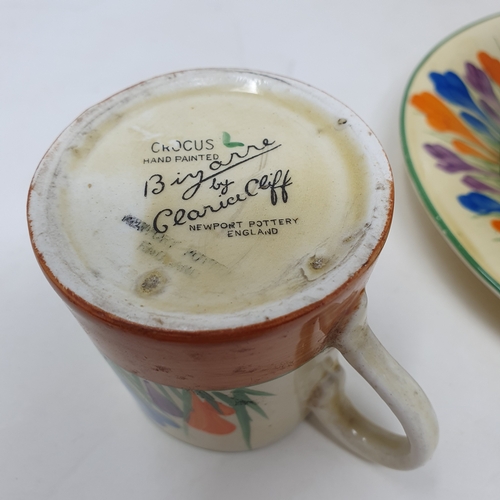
(450,127)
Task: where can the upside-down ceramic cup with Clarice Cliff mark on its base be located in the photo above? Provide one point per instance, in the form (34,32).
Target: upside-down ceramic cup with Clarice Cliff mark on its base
(213,232)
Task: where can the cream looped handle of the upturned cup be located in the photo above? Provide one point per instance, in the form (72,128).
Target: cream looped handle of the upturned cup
(394,385)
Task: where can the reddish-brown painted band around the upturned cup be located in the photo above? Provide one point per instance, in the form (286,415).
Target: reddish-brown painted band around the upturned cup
(219,359)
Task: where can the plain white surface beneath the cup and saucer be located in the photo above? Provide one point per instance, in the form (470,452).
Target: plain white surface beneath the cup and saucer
(68,429)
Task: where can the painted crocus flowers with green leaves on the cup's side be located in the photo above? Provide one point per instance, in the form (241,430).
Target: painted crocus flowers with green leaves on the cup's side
(214,412)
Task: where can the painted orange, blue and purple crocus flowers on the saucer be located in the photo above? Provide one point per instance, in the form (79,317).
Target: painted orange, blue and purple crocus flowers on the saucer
(465,110)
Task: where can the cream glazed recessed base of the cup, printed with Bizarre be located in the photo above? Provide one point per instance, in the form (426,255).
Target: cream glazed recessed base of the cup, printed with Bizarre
(101,185)
